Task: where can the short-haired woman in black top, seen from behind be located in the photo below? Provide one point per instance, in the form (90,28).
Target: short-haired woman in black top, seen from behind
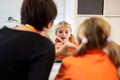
(26,52)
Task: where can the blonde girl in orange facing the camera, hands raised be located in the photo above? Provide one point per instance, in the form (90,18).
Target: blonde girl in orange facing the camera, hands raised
(65,42)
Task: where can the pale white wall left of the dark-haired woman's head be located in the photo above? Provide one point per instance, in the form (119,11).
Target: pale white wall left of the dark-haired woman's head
(9,8)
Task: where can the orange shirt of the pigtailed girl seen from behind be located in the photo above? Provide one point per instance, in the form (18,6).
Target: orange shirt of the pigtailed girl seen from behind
(94,65)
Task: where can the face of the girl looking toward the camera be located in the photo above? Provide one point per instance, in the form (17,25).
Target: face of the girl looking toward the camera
(64,33)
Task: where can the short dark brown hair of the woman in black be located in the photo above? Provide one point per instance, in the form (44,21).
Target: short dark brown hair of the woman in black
(38,13)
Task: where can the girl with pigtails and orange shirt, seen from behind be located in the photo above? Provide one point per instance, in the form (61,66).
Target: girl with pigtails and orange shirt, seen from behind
(90,61)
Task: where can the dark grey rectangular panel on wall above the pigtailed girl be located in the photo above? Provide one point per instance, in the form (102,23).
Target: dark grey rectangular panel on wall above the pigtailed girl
(90,7)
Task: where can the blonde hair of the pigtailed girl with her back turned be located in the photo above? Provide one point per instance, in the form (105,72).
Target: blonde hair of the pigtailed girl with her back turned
(95,30)
